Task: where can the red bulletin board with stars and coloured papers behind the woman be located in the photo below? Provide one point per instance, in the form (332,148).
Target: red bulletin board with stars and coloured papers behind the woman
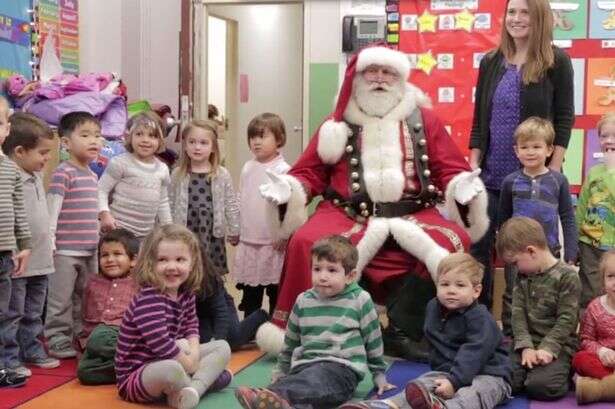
(445,40)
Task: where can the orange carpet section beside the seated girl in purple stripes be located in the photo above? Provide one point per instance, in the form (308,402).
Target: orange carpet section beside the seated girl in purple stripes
(74,395)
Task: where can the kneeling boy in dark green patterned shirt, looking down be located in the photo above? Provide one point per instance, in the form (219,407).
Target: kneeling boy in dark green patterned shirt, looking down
(544,312)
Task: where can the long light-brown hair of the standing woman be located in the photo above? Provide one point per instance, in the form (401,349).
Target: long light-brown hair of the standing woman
(540,56)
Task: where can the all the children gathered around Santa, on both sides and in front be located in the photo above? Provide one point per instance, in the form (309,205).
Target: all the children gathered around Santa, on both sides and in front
(145,305)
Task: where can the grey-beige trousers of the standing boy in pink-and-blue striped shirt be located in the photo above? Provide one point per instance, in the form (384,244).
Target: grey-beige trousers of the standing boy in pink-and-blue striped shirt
(66,287)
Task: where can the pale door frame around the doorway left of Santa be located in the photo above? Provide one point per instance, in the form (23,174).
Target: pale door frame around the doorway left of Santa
(198,51)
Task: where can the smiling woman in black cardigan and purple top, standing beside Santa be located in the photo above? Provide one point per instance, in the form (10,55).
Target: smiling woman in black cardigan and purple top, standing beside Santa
(525,76)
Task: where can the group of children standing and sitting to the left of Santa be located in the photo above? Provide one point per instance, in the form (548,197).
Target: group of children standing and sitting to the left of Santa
(98,254)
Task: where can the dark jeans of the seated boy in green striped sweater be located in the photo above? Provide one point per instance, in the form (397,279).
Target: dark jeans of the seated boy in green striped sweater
(318,385)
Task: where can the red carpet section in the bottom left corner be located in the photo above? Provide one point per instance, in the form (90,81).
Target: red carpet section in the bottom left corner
(41,381)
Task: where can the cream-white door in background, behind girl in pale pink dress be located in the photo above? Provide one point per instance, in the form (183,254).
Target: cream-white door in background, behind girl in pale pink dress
(264,73)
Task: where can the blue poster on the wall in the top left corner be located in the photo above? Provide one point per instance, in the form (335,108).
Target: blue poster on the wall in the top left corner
(15,38)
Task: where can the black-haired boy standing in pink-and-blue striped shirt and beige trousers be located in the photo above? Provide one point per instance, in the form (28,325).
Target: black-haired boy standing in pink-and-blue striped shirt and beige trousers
(72,200)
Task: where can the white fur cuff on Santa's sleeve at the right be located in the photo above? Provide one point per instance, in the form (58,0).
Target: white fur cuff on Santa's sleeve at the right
(477,211)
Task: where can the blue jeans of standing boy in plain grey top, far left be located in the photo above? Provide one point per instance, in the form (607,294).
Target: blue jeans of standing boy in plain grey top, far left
(25,320)
